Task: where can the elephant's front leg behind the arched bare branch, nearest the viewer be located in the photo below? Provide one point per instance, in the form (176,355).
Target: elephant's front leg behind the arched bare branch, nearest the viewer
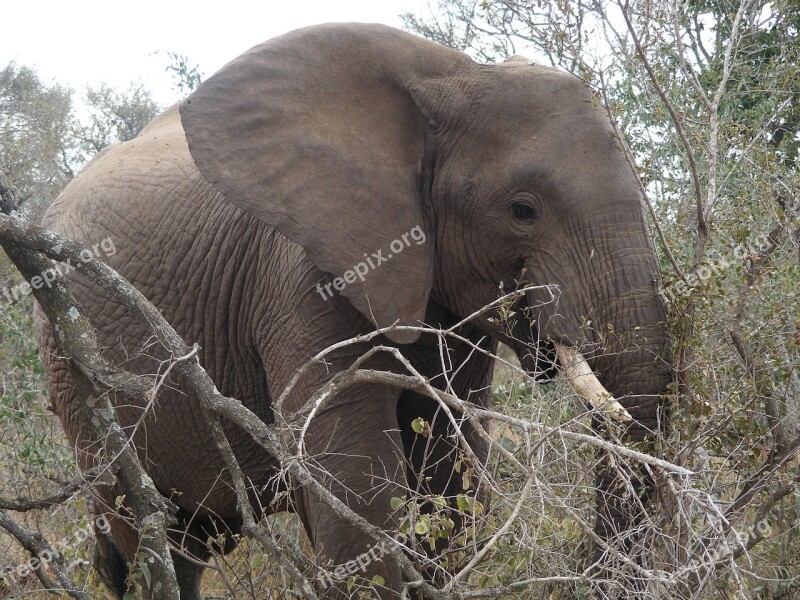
(354,449)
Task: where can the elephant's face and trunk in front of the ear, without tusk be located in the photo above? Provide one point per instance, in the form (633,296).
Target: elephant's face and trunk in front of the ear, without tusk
(529,184)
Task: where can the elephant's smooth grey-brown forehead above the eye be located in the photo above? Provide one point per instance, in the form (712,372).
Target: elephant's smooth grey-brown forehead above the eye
(544,130)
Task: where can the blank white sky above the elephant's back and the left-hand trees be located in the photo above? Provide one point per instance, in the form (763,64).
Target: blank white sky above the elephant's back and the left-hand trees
(87,42)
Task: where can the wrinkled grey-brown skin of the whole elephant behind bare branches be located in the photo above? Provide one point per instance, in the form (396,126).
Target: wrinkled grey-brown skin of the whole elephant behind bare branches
(280,173)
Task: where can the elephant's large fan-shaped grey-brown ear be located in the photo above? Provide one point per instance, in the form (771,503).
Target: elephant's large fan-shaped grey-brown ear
(316,133)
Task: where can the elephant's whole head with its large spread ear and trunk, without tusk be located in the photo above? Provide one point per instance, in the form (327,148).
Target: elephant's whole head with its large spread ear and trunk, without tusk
(346,137)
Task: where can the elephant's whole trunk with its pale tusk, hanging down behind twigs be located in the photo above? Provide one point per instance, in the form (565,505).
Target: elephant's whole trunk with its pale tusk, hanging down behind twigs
(627,345)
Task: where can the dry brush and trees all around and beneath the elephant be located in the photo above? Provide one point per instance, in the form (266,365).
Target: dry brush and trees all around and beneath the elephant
(707,94)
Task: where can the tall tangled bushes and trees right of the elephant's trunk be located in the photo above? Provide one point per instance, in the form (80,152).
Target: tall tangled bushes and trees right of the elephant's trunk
(708,94)
